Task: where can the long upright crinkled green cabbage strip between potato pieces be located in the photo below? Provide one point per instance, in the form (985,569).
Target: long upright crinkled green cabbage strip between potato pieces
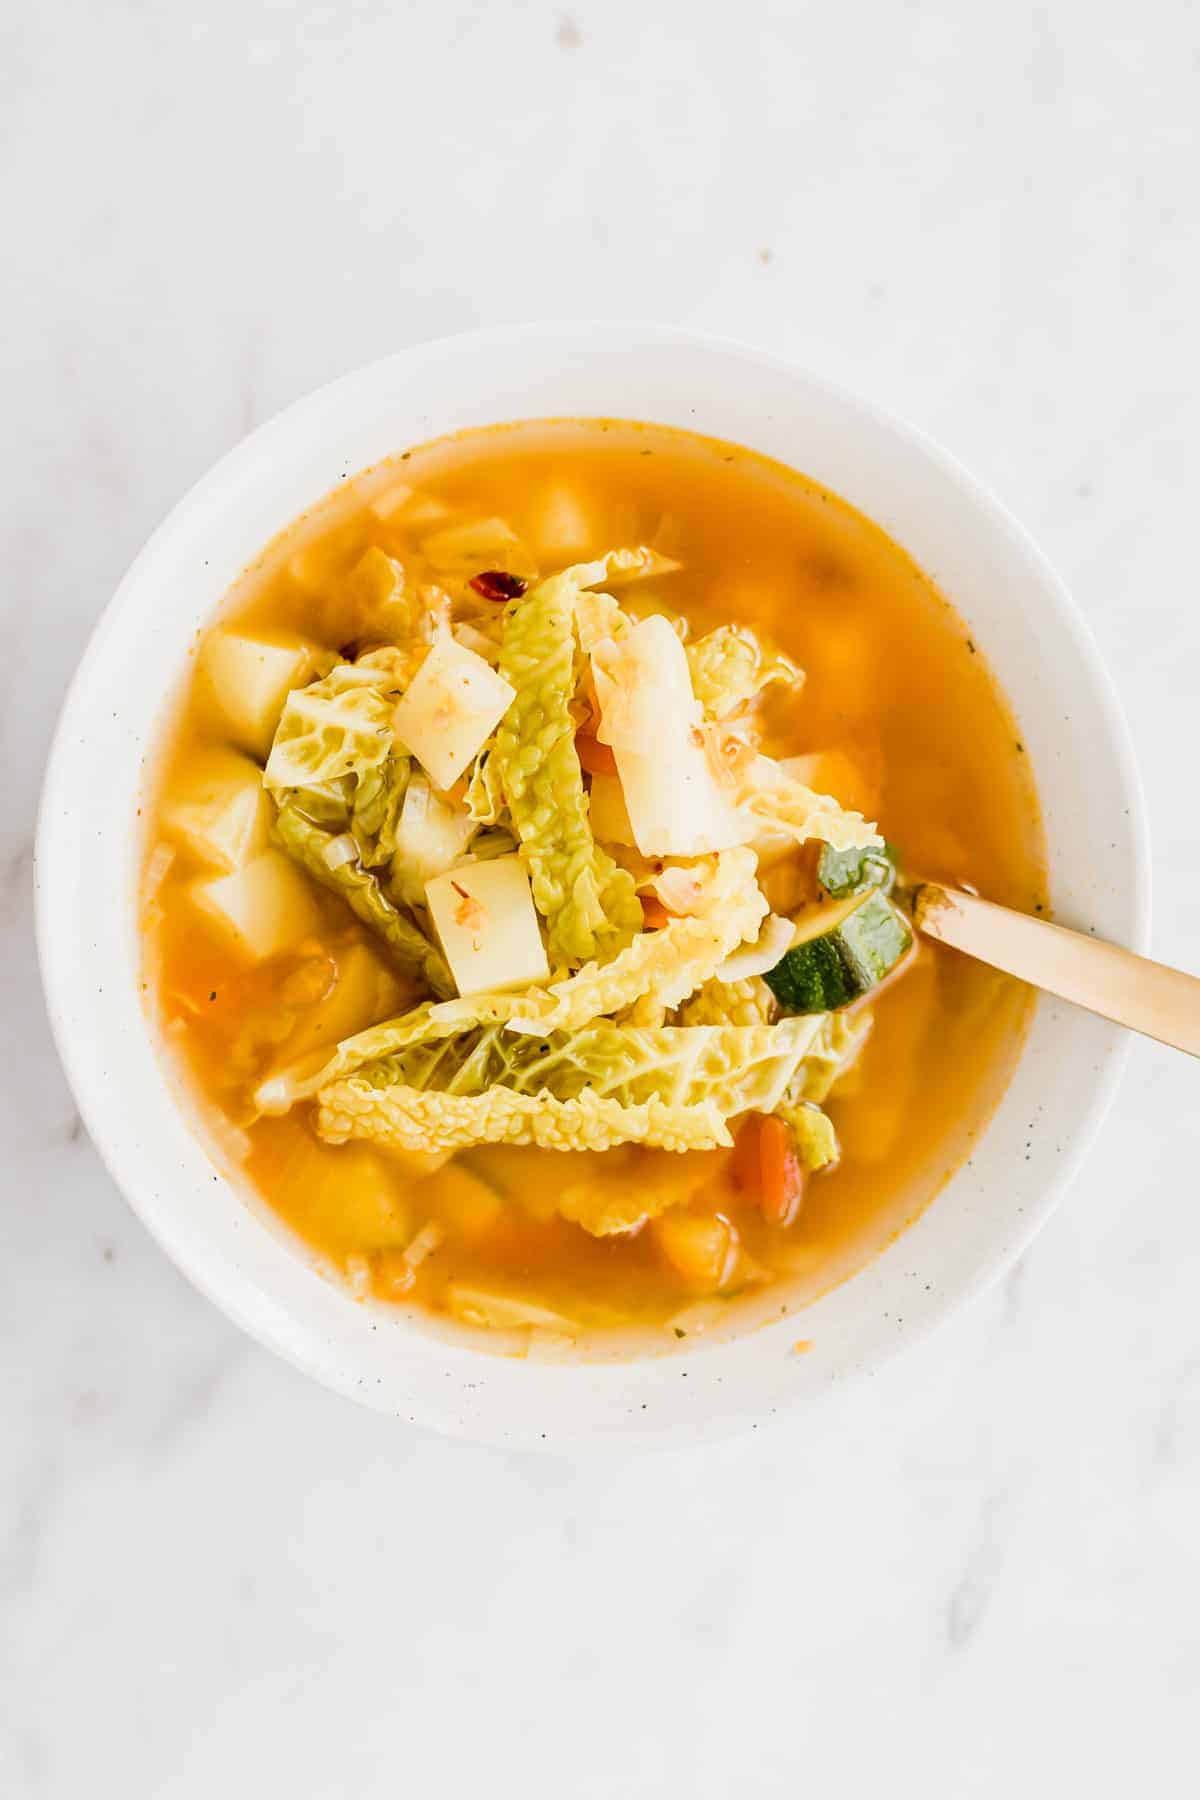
(589,904)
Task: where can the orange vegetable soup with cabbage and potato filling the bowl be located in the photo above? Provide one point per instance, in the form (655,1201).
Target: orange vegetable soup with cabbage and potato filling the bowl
(528,883)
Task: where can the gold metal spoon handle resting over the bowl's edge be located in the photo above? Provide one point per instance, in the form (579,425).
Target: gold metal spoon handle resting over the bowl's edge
(1163,1003)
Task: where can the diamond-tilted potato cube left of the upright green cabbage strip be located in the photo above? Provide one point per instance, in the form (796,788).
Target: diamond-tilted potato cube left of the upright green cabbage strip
(451,710)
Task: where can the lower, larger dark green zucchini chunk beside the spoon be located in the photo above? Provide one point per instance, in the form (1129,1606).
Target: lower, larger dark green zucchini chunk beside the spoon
(841,953)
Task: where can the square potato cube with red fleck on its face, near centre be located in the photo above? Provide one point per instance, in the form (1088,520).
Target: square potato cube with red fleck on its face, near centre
(488,926)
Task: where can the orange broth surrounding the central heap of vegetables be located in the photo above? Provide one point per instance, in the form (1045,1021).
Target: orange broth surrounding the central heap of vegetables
(911,732)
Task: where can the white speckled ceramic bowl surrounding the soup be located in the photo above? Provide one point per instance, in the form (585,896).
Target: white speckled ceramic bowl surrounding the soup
(87,874)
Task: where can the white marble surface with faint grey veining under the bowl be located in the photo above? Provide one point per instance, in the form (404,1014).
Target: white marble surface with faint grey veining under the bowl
(972,1578)
